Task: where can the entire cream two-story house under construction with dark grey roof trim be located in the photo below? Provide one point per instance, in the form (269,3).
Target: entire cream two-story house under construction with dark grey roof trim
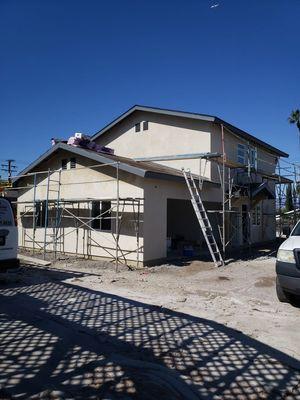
(157,188)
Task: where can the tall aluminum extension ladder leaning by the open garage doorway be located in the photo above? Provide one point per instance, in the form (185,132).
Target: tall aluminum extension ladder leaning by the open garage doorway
(203,218)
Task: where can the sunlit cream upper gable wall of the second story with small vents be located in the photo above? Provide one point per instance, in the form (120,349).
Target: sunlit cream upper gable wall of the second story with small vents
(167,135)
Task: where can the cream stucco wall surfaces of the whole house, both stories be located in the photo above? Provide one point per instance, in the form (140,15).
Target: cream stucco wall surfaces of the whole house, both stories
(166,135)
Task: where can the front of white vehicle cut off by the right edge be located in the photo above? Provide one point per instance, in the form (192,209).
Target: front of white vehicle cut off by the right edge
(288,267)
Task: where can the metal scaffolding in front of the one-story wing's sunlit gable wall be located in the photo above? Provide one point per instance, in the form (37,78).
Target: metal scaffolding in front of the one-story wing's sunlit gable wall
(53,214)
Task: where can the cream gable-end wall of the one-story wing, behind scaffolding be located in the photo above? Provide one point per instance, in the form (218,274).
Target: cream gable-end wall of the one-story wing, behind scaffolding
(84,183)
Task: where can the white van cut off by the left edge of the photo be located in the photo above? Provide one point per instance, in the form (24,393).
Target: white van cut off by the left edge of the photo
(8,235)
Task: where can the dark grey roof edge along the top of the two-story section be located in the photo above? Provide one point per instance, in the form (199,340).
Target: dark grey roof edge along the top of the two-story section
(203,117)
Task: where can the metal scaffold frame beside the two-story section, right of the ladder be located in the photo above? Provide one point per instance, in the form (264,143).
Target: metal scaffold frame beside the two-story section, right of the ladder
(230,174)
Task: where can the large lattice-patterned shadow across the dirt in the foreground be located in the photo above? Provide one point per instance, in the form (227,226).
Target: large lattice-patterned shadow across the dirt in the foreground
(61,341)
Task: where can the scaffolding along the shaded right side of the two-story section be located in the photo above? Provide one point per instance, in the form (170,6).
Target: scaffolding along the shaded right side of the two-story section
(236,181)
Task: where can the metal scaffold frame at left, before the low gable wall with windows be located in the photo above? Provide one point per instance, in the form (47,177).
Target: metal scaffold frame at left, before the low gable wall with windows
(57,210)
